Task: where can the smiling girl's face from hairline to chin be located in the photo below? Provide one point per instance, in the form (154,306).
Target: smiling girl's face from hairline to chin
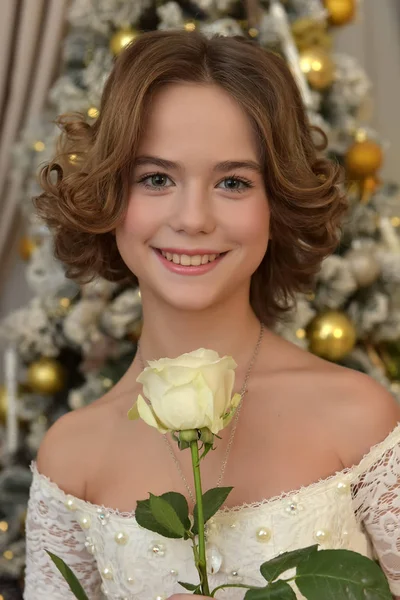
(197,222)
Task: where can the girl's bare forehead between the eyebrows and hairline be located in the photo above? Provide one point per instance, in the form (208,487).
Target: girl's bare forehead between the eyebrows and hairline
(191,119)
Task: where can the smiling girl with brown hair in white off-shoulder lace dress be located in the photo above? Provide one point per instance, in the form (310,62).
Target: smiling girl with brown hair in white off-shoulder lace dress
(201,182)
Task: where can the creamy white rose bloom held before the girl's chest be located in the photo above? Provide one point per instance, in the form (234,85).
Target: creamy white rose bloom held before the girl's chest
(191,391)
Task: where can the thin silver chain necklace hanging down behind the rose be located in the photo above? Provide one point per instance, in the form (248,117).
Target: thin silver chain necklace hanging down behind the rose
(235,419)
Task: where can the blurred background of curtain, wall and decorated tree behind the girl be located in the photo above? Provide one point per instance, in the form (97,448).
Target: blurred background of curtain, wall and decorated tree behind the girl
(62,346)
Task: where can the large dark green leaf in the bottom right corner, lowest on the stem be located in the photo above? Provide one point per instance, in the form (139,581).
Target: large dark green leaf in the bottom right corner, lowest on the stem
(341,574)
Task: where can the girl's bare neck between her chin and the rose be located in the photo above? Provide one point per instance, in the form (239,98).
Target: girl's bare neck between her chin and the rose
(228,328)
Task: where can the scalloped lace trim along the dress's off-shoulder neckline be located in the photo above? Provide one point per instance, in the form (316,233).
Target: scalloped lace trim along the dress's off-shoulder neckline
(353,472)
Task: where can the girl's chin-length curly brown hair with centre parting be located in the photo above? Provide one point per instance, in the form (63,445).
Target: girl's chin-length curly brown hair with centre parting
(86,201)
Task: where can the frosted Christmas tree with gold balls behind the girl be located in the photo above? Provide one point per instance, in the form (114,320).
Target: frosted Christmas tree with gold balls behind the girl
(72,343)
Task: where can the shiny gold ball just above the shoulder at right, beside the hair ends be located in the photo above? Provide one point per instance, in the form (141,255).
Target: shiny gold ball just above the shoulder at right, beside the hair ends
(331,335)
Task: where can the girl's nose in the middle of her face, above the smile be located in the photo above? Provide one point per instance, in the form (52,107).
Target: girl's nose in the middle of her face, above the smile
(193,210)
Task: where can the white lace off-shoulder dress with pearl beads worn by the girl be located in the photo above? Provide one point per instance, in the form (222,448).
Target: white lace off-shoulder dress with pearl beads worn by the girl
(114,558)
